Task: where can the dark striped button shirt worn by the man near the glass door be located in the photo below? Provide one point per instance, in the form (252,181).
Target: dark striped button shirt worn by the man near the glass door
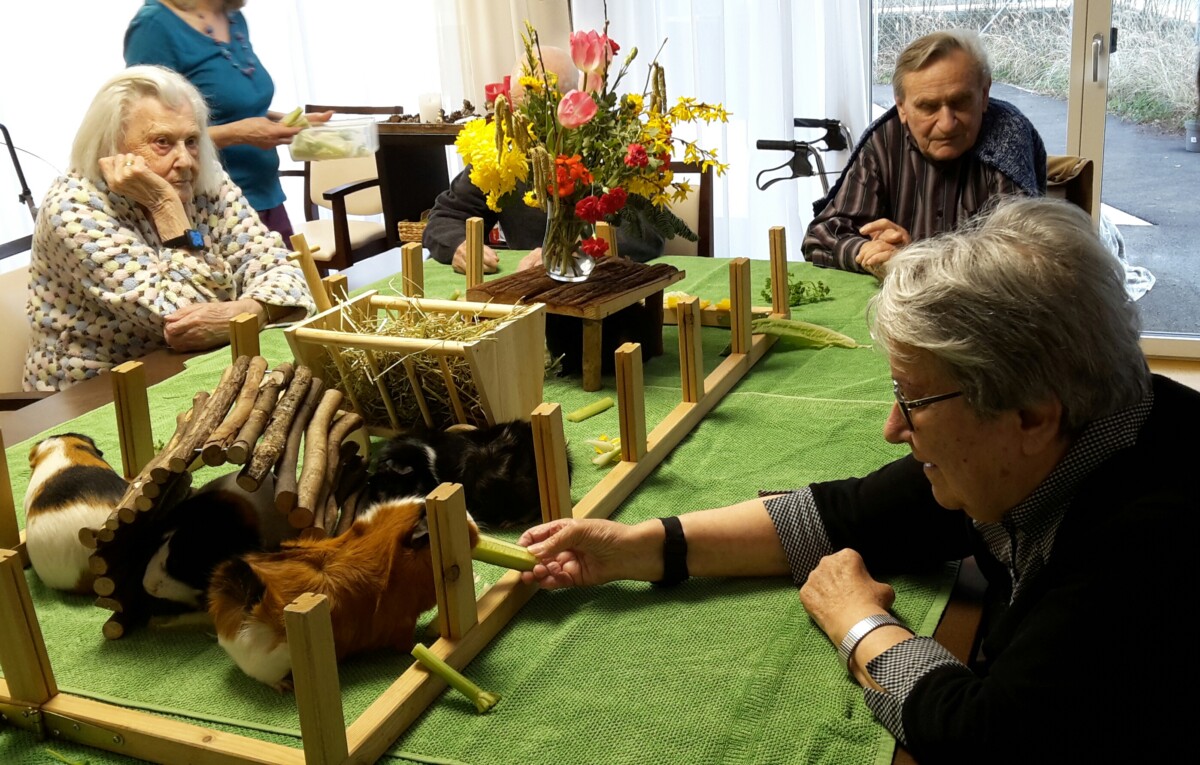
(891,179)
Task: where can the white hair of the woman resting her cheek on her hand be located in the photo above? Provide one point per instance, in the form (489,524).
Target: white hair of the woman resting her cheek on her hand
(103,131)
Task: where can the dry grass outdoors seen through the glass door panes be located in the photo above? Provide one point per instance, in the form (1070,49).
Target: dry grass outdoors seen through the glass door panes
(1153,77)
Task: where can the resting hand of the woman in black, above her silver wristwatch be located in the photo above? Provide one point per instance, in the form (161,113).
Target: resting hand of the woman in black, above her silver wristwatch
(841,592)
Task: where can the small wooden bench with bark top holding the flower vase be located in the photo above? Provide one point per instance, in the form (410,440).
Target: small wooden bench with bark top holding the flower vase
(615,285)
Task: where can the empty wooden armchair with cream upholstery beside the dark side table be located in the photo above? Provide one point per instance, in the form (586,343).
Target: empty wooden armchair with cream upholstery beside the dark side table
(346,188)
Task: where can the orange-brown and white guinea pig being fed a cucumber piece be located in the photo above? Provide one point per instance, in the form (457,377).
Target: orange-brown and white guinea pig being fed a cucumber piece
(379,577)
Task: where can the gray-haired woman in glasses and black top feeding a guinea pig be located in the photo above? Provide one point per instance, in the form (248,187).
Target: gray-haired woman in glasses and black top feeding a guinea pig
(1041,445)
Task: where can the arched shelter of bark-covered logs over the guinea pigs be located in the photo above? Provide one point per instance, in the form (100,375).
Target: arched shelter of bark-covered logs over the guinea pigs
(254,418)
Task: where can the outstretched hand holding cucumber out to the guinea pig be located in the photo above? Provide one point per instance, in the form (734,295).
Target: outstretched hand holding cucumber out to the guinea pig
(577,553)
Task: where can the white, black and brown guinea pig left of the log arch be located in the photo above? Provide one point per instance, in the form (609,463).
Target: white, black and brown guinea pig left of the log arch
(71,487)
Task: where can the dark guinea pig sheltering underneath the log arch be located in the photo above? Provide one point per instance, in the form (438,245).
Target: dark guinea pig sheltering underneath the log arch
(215,523)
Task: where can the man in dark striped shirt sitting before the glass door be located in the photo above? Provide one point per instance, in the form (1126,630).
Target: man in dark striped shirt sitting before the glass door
(931,162)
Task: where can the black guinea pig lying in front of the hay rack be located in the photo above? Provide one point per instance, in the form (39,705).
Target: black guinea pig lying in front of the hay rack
(496,466)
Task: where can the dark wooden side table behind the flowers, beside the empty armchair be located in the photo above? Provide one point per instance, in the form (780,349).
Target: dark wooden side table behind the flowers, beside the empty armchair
(413,171)
